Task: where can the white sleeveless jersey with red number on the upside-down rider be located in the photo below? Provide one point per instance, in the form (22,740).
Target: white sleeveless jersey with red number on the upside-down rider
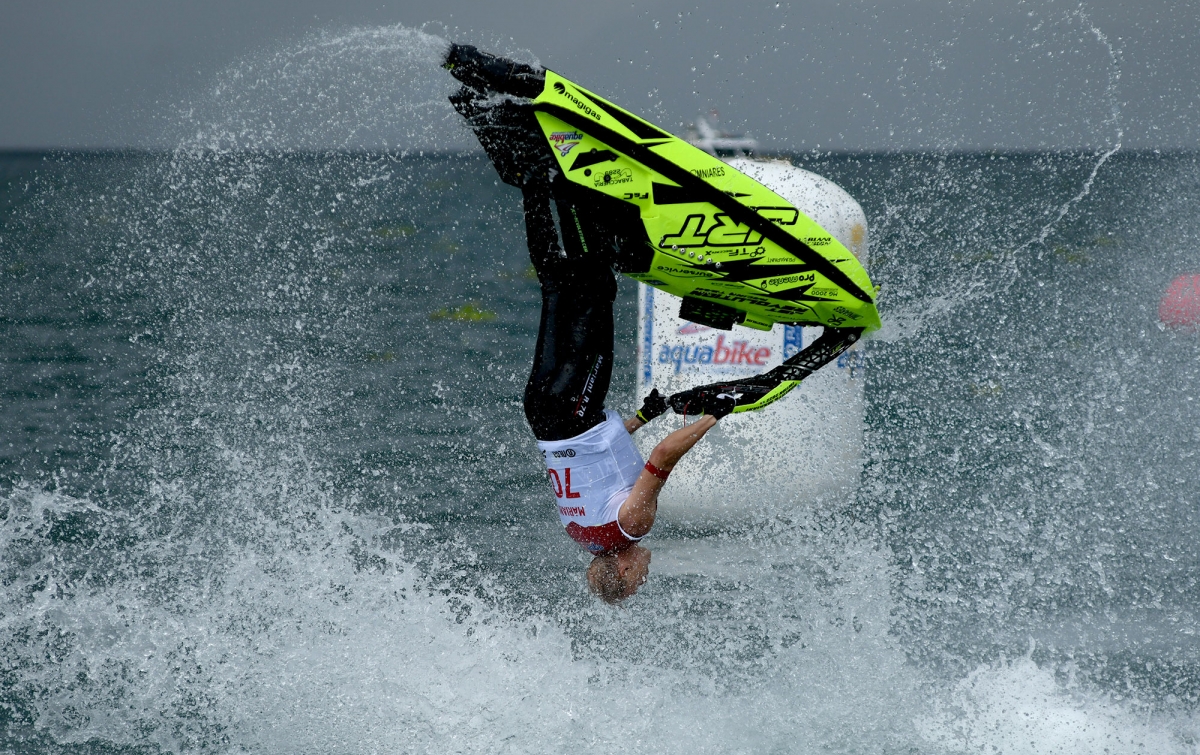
(591,477)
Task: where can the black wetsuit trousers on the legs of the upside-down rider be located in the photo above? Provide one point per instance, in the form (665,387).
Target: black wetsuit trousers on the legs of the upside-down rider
(573,362)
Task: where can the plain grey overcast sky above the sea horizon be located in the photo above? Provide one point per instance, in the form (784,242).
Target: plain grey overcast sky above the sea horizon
(857,75)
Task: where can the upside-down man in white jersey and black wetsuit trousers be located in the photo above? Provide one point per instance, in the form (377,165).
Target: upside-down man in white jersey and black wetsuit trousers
(607,496)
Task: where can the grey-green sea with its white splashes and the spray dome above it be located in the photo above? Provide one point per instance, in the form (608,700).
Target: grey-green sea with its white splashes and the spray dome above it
(266,484)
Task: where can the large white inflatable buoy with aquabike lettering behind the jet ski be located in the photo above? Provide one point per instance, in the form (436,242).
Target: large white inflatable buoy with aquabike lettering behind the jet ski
(806,447)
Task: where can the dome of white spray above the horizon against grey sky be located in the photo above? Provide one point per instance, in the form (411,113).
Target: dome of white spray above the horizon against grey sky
(370,88)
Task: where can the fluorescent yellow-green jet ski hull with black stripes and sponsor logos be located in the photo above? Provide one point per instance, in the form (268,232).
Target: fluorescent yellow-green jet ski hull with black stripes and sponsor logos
(725,243)
